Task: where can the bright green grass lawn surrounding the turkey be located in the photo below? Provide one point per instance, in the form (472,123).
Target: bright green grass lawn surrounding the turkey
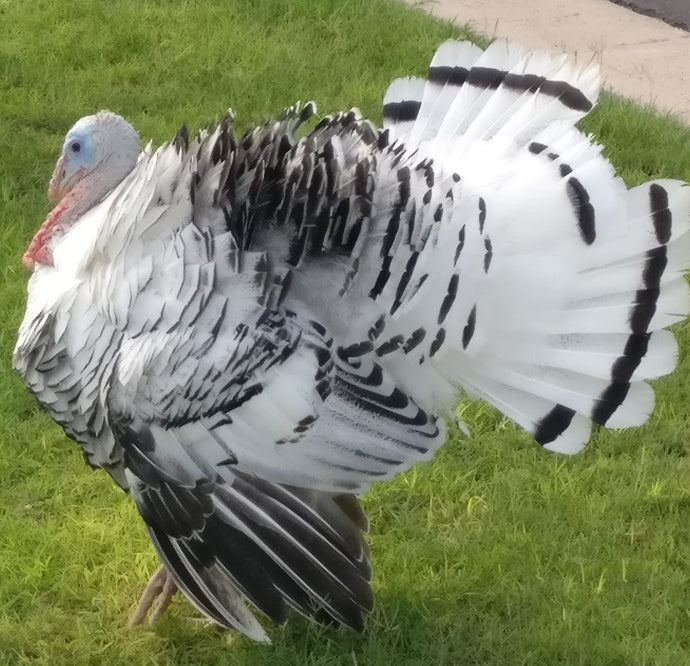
(494,554)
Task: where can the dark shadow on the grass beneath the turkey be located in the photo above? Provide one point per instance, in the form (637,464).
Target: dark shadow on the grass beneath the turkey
(436,625)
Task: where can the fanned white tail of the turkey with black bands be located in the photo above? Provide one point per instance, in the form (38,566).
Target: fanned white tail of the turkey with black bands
(543,284)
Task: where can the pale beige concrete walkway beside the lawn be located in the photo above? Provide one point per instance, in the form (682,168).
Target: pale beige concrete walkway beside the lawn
(642,58)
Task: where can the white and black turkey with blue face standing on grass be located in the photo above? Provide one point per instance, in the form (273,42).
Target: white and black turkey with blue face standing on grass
(247,331)
